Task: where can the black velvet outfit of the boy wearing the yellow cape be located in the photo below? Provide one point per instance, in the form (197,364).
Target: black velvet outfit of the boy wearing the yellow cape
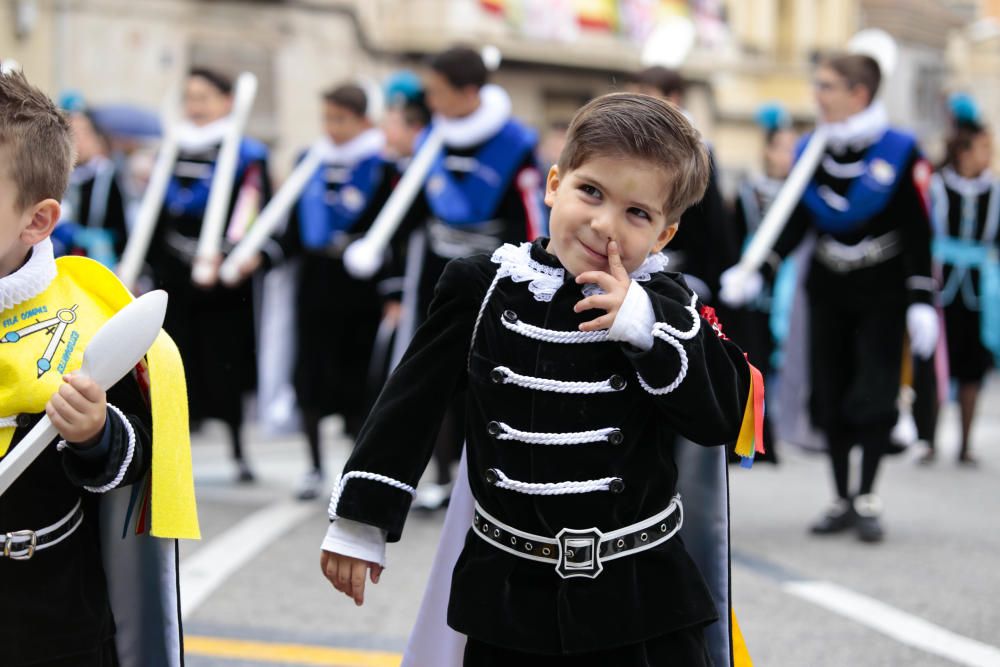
(56,604)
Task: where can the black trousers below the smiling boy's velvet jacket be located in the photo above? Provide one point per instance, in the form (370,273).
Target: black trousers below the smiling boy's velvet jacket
(684,648)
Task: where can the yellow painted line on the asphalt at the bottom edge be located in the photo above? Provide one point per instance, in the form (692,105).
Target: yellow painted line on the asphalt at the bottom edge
(288,654)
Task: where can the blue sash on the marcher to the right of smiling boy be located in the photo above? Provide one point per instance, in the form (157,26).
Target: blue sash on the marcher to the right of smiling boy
(868,194)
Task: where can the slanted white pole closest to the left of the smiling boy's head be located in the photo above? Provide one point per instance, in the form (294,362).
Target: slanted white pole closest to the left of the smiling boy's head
(363,258)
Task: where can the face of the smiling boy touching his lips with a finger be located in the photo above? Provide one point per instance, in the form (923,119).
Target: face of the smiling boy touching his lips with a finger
(607,199)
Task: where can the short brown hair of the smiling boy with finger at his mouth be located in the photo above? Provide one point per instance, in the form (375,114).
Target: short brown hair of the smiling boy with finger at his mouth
(646,128)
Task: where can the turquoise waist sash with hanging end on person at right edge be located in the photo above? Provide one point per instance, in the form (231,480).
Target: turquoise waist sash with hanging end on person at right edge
(963,254)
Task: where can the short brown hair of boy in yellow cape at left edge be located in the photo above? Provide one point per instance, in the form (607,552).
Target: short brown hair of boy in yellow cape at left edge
(36,141)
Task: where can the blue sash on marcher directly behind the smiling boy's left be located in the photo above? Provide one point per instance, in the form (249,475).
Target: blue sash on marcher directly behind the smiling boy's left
(473,198)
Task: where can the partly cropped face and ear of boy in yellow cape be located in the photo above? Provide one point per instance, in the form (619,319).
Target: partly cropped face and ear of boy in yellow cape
(20,229)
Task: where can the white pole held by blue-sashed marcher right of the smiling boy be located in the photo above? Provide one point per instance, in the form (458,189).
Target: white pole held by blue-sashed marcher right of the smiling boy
(788,197)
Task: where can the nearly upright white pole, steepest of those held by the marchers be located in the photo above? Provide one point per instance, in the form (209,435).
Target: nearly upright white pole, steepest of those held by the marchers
(212,227)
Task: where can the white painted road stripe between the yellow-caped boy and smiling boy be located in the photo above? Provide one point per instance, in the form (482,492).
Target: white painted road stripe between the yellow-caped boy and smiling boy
(207,568)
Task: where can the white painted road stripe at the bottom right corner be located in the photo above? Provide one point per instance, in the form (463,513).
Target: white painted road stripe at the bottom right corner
(901,626)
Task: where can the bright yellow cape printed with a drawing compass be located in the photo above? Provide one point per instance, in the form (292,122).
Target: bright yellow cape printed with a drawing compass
(43,338)
